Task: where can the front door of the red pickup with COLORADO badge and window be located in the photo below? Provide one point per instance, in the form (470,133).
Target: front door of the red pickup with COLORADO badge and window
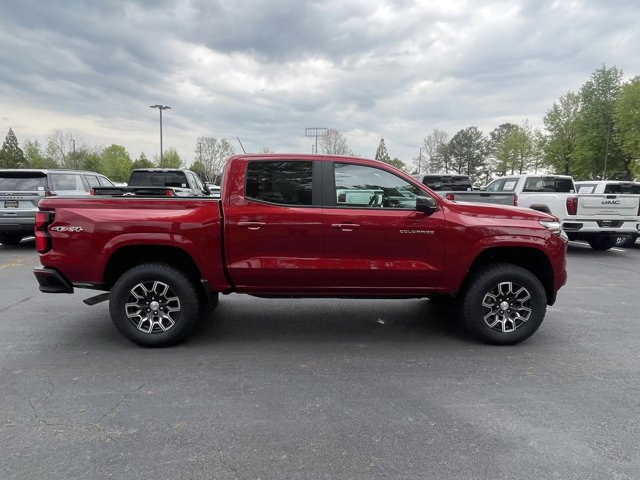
(376,241)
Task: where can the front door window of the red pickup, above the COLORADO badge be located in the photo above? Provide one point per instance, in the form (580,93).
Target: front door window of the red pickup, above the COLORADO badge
(360,186)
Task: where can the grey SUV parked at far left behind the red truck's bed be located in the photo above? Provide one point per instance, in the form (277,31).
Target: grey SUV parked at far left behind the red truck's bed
(21,189)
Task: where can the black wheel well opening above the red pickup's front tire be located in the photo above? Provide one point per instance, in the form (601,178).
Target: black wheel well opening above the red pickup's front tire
(528,258)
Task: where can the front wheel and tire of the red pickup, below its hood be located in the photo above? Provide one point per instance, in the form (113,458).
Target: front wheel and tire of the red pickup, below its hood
(503,304)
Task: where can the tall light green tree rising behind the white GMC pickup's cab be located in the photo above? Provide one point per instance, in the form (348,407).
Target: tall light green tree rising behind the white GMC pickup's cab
(561,125)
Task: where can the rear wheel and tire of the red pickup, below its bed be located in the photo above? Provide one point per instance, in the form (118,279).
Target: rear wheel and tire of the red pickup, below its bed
(154,305)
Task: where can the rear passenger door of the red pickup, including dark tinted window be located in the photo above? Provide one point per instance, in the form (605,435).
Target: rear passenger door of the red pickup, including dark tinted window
(274,235)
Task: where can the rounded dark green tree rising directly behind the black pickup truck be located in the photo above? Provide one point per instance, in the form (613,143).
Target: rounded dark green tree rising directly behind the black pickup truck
(468,152)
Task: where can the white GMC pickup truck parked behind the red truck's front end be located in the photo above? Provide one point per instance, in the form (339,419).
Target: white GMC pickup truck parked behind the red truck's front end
(600,219)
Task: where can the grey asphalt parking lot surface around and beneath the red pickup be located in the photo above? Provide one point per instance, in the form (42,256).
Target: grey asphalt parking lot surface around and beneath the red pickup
(323,389)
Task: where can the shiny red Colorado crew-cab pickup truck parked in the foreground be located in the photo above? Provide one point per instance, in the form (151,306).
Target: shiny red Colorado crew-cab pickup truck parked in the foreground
(304,226)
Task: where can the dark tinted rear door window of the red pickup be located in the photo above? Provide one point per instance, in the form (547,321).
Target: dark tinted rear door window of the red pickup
(288,183)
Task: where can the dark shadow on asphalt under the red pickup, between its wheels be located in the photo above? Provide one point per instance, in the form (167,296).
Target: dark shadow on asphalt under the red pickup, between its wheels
(246,319)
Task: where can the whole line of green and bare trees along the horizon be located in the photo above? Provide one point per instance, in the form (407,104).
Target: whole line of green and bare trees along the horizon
(590,134)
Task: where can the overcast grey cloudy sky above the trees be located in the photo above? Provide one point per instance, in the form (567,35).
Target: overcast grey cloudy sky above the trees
(265,71)
